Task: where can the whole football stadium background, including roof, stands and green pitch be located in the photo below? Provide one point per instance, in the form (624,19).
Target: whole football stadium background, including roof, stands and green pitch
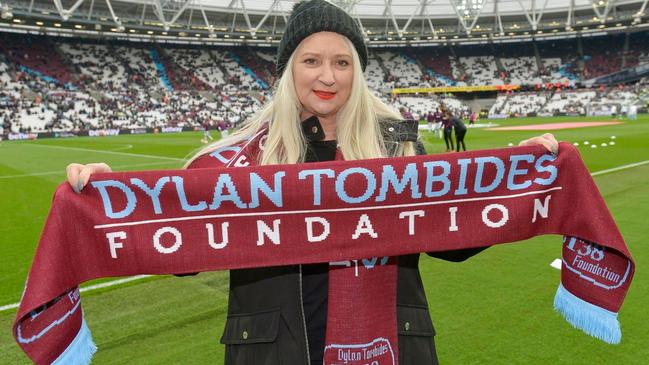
(135,83)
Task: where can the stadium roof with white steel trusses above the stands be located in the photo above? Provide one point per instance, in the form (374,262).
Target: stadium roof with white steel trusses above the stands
(384,21)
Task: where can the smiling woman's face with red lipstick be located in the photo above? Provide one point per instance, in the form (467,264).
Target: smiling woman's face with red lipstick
(323,72)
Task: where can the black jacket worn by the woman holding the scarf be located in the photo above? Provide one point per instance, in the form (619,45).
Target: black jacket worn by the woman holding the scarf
(266,326)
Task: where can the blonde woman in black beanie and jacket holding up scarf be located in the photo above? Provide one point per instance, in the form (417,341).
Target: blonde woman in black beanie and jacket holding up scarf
(322,110)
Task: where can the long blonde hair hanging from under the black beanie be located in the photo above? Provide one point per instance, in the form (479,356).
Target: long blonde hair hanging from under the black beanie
(357,123)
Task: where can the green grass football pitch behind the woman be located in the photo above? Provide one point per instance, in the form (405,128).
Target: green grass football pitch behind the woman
(495,308)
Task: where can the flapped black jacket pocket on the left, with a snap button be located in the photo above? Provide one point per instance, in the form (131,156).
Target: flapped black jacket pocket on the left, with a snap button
(250,338)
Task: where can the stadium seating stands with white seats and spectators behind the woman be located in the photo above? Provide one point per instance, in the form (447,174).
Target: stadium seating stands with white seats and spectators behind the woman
(50,84)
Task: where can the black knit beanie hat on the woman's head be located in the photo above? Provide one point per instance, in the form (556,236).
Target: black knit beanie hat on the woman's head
(313,16)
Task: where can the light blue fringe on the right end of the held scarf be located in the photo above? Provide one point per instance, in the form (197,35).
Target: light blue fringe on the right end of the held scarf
(595,321)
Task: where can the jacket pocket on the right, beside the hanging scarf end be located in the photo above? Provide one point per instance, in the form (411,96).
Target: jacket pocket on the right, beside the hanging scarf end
(416,335)
